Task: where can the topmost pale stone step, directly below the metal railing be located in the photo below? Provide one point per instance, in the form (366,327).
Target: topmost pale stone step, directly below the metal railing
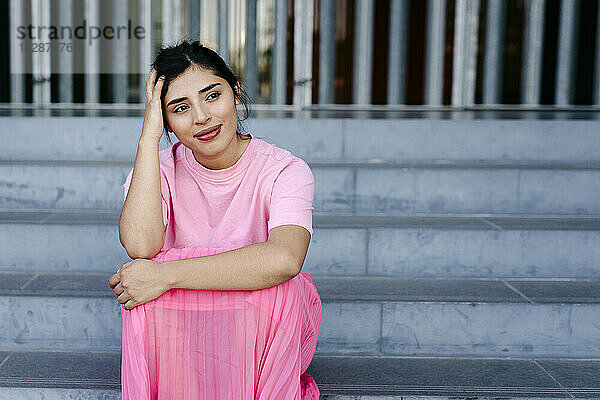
(113,138)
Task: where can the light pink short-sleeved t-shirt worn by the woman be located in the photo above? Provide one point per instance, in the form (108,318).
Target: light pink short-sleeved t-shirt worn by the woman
(236,206)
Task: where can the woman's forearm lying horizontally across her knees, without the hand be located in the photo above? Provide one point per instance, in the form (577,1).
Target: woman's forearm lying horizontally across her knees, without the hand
(253,267)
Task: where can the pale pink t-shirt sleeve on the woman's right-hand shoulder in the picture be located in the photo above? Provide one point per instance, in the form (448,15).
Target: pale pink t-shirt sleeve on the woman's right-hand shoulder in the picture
(292,196)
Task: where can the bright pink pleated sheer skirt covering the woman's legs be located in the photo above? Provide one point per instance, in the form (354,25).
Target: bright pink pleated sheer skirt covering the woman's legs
(222,344)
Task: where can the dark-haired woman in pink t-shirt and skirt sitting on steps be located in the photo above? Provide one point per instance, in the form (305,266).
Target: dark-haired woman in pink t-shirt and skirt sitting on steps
(214,302)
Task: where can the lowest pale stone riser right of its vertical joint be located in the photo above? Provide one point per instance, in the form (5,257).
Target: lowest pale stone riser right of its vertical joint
(477,329)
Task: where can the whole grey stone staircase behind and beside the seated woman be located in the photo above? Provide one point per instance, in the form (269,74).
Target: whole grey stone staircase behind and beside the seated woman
(454,258)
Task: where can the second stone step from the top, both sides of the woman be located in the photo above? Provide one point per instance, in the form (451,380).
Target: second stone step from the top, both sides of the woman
(392,187)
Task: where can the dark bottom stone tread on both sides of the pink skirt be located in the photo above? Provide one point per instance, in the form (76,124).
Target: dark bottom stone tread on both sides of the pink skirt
(96,375)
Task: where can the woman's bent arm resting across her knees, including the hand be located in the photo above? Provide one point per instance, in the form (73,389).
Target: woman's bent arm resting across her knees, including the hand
(254,267)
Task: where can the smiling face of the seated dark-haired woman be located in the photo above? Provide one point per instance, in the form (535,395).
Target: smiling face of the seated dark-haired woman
(196,100)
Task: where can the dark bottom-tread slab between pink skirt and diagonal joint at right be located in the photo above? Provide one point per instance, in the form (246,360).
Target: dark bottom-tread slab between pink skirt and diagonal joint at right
(434,376)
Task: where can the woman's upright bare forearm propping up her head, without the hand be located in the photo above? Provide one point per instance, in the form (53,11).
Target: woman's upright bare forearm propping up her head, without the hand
(141,229)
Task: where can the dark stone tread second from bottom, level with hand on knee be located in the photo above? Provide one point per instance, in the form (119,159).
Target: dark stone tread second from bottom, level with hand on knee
(335,288)
